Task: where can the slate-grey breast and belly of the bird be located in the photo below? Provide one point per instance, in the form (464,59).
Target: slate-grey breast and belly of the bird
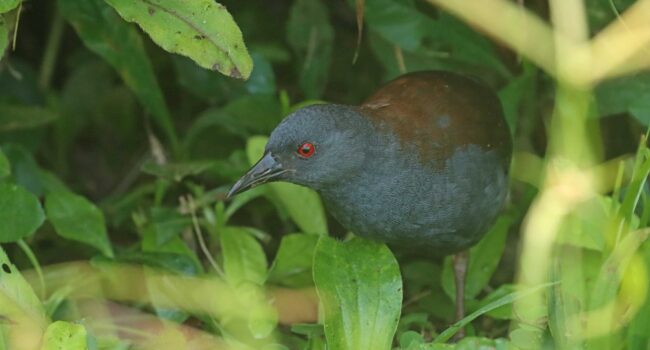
(397,200)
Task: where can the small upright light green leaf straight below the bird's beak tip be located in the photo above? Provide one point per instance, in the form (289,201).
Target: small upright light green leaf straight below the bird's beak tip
(243,257)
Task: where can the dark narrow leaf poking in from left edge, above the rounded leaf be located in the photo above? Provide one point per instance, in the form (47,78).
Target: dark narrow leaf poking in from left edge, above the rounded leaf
(17,117)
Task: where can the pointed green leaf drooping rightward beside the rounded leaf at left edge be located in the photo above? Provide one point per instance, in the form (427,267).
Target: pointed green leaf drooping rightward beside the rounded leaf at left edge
(75,218)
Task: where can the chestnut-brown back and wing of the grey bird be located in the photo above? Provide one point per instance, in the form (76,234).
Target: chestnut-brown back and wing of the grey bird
(440,112)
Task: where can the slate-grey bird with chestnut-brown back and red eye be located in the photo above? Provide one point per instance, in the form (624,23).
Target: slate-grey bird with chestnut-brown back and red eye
(421,165)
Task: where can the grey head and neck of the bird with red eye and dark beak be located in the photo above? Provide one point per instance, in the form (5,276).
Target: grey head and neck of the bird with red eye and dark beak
(314,147)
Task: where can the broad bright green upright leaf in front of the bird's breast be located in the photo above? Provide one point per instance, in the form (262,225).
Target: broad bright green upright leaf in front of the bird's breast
(360,288)
